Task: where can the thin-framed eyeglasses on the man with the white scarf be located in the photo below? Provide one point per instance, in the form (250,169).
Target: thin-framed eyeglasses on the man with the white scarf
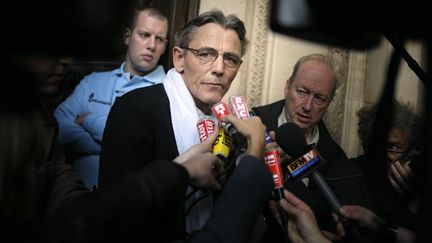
(209,55)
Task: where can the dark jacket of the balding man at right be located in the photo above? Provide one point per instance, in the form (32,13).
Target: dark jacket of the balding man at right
(329,150)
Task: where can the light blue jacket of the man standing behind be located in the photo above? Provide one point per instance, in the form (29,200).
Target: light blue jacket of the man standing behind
(96,94)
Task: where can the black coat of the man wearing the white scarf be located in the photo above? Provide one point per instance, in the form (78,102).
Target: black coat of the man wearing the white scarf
(138,131)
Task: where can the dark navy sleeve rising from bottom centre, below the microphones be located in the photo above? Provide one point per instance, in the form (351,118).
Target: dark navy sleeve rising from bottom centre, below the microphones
(239,205)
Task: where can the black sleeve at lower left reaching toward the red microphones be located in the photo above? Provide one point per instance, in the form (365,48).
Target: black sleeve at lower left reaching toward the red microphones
(137,207)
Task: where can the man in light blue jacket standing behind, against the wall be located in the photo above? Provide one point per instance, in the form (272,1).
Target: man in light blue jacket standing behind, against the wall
(82,116)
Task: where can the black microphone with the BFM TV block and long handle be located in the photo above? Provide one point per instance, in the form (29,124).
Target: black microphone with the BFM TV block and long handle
(291,139)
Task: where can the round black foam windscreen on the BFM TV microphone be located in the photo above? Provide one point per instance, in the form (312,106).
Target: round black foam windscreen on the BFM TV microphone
(291,139)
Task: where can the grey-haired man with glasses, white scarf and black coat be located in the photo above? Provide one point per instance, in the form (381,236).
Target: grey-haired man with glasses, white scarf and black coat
(159,122)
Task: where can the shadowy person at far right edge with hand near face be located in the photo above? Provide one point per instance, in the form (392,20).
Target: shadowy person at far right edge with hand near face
(383,198)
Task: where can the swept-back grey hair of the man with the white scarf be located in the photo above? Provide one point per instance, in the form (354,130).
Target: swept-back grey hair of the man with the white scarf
(184,35)
